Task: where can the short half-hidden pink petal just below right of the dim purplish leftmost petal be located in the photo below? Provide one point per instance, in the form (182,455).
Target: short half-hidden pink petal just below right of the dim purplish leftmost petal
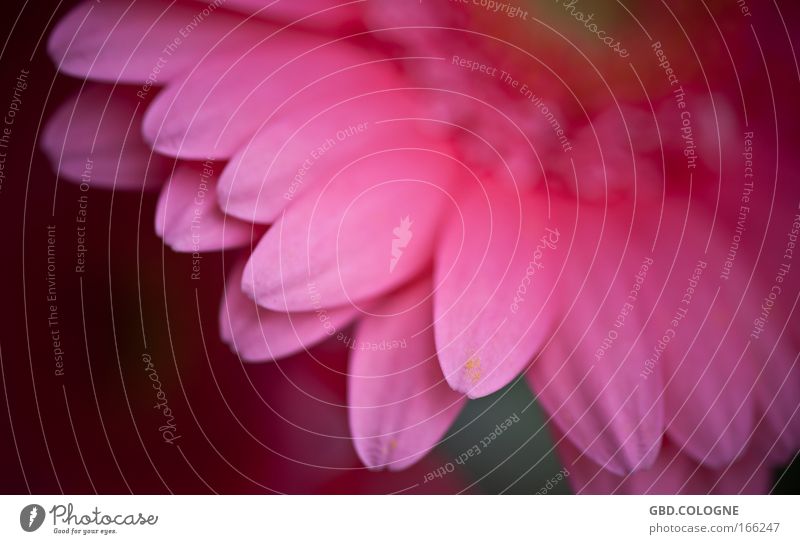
(188,217)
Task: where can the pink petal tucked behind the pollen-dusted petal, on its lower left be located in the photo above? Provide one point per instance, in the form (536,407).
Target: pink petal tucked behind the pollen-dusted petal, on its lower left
(400,405)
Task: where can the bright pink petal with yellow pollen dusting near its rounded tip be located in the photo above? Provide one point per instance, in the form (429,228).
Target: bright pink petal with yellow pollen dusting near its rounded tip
(494,271)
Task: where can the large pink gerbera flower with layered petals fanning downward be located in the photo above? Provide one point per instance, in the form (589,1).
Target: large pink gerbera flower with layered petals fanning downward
(478,213)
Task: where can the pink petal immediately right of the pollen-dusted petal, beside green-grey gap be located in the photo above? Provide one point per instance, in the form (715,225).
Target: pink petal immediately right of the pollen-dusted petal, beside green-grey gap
(590,376)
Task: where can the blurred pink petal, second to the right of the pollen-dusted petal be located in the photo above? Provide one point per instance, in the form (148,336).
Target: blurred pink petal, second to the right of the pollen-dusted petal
(708,378)
